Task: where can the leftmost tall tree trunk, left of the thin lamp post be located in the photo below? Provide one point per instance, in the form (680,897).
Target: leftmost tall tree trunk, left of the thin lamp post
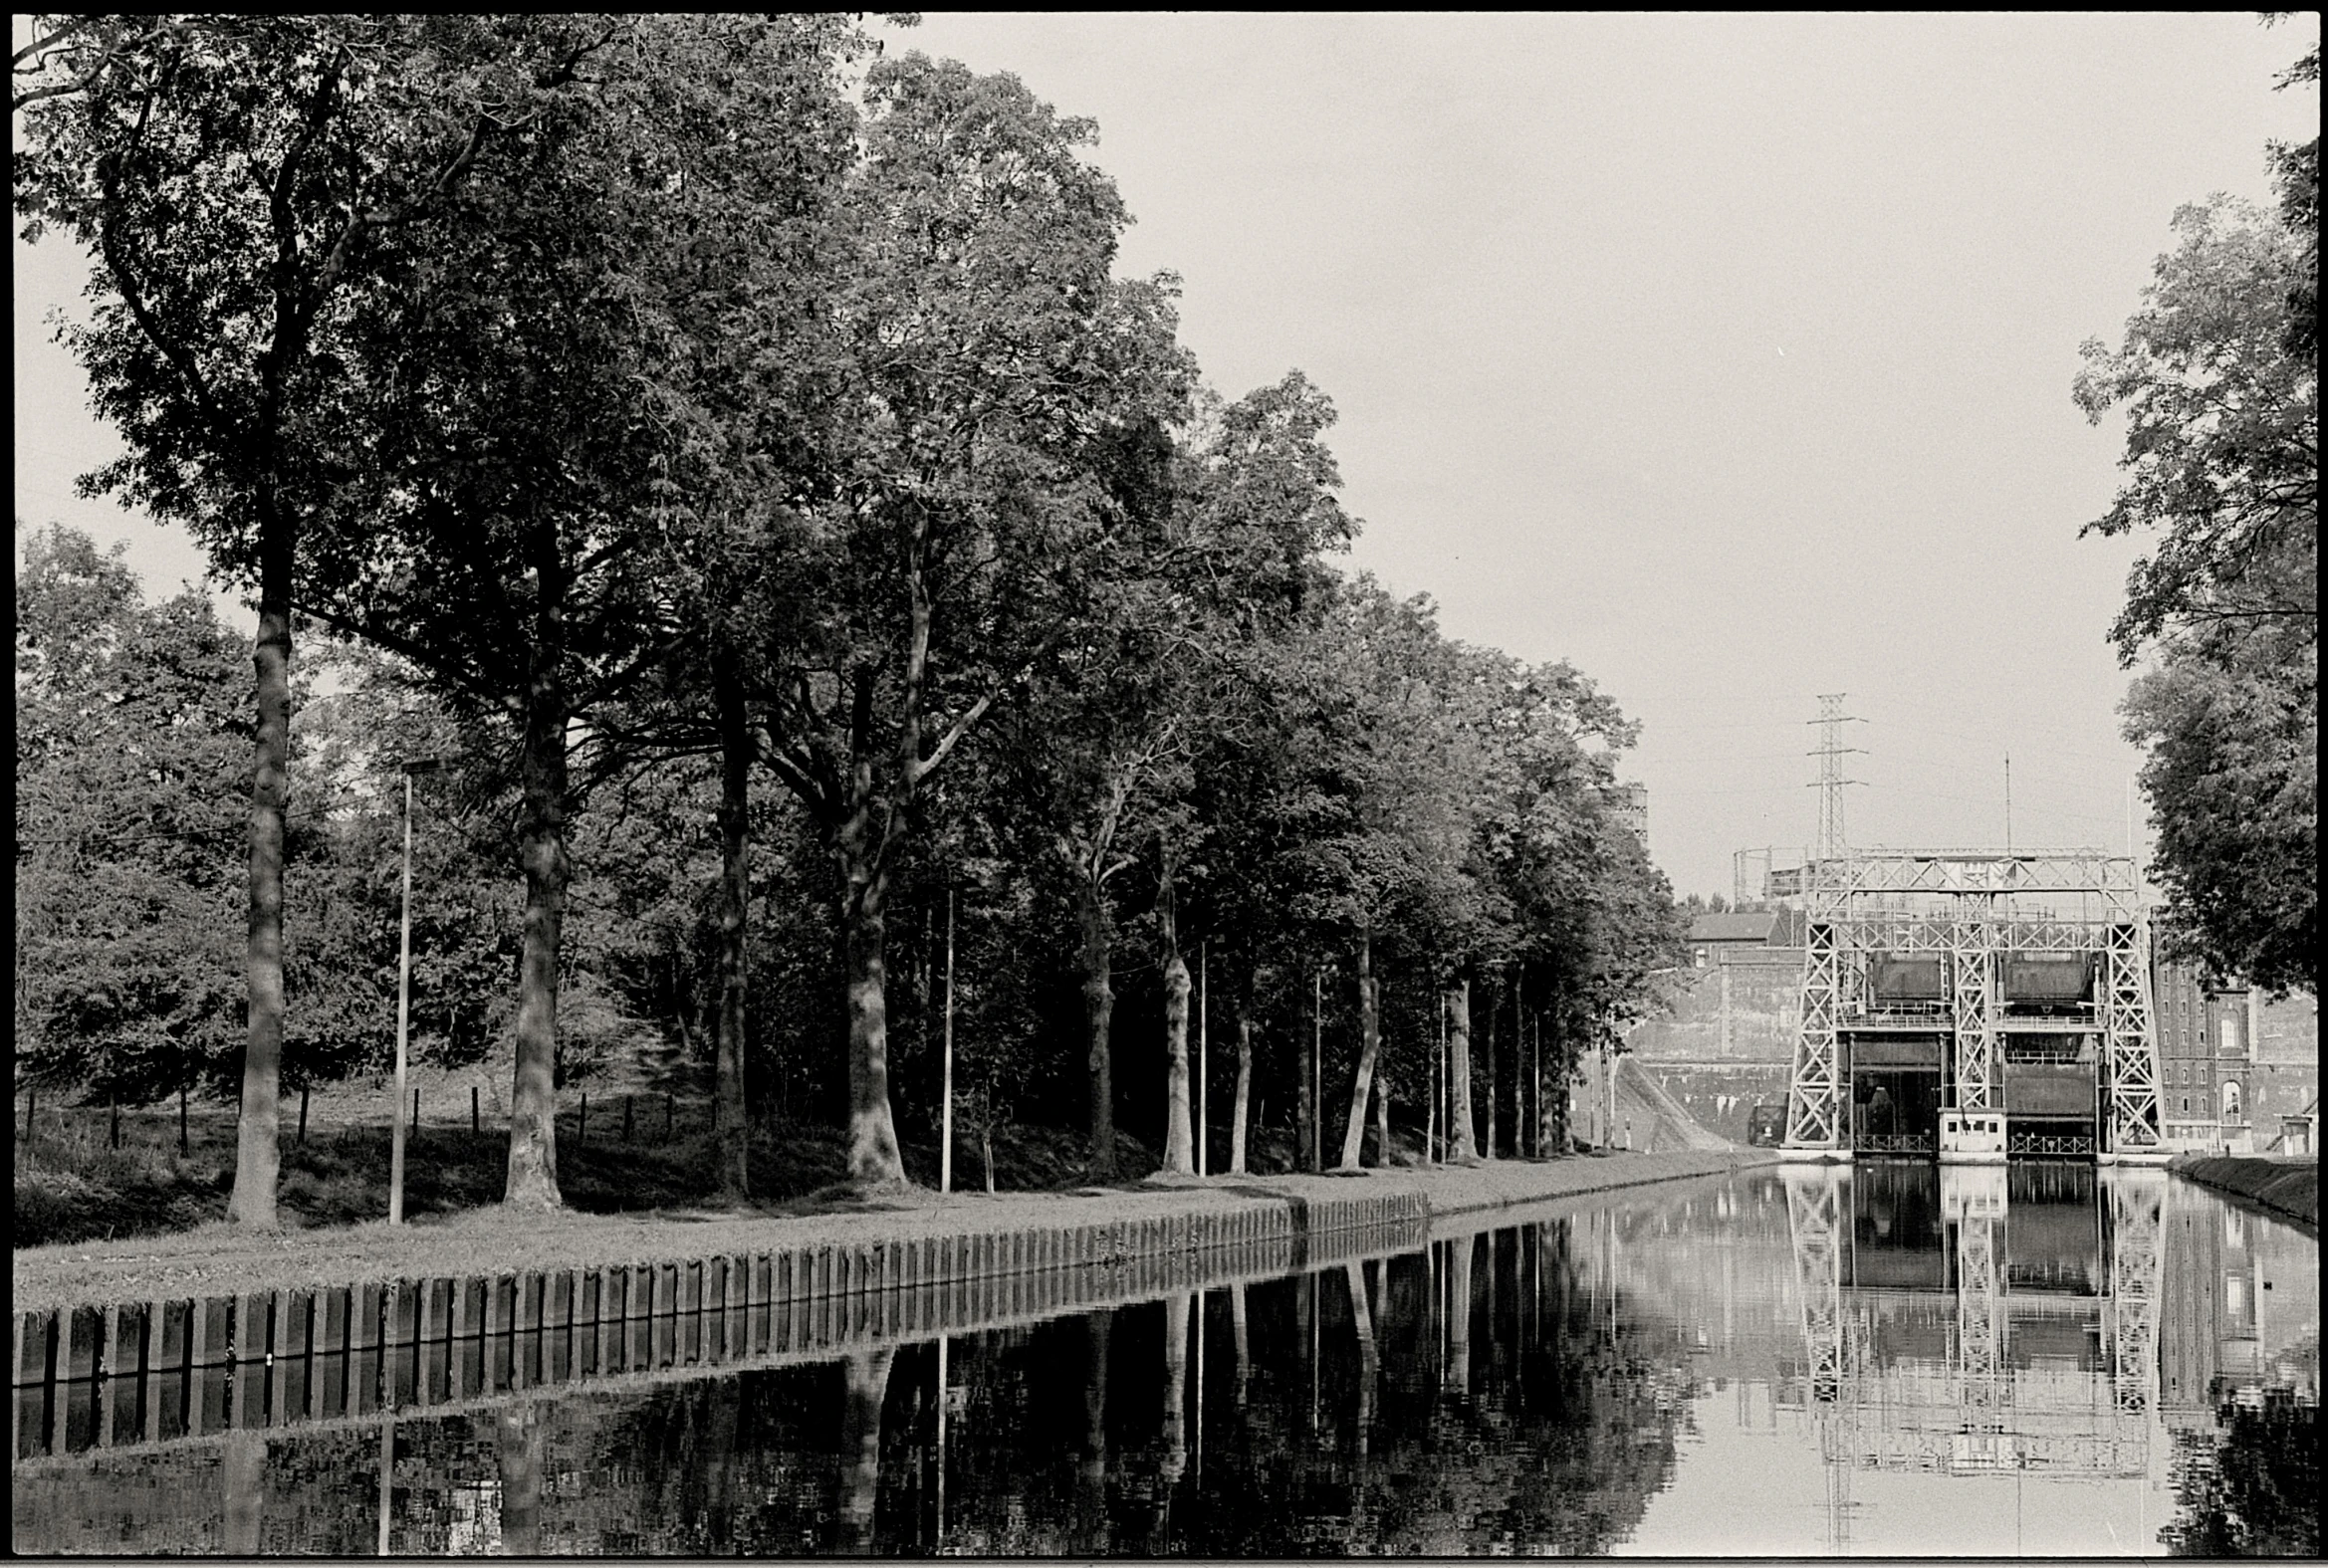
(257,1136)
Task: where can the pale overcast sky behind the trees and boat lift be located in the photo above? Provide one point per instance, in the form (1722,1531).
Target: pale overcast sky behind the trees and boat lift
(1724,357)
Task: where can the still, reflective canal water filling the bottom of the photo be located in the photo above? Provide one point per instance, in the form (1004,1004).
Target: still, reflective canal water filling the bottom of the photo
(1894,1360)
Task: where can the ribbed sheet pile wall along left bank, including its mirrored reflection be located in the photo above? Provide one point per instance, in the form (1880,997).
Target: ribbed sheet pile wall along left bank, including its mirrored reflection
(162,1371)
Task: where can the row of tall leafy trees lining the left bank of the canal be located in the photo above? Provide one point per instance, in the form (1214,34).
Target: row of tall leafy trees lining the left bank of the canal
(651,411)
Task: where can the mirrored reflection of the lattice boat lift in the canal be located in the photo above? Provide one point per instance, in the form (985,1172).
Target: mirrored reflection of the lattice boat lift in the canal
(1978,1320)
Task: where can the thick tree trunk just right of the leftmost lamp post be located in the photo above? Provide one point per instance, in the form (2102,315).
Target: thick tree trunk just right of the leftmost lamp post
(534,1127)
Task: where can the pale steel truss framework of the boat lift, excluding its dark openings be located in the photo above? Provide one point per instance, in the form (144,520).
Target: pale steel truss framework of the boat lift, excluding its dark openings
(1961,906)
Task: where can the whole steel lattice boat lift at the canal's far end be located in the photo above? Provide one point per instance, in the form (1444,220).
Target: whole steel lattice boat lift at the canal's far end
(1975,1006)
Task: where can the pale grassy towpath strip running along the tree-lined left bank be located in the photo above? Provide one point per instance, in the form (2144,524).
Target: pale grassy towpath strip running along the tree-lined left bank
(218,1257)
